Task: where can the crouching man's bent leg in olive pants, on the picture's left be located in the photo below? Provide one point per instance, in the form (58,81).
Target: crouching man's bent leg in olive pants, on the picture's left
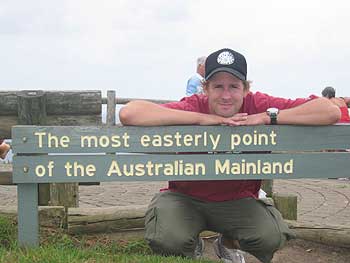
(173,222)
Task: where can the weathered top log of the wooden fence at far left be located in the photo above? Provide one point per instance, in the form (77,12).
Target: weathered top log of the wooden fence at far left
(83,102)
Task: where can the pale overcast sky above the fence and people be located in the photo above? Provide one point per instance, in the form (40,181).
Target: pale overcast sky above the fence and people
(147,49)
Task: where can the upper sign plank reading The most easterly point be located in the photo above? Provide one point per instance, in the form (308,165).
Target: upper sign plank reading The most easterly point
(181,138)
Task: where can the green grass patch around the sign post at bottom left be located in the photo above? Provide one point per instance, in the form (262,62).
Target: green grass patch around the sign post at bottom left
(58,247)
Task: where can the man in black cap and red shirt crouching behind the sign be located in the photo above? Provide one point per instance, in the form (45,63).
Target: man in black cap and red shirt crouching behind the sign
(177,215)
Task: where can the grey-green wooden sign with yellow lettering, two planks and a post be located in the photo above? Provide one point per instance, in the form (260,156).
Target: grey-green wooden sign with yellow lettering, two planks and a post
(71,154)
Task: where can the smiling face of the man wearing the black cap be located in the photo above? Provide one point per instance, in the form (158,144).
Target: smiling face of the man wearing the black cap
(225,94)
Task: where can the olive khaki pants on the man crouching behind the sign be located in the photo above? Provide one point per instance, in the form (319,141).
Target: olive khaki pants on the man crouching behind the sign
(174,221)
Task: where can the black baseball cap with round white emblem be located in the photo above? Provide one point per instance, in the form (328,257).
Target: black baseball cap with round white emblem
(226,60)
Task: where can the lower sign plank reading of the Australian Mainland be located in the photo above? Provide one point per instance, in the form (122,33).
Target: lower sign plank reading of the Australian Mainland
(163,167)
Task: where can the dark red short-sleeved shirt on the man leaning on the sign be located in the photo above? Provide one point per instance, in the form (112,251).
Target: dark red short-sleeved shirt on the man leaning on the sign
(224,190)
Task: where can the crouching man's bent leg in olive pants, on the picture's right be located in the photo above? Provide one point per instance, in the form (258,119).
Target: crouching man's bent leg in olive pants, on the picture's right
(258,227)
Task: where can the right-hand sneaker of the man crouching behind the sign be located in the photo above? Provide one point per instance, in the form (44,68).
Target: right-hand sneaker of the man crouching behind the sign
(227,255)
